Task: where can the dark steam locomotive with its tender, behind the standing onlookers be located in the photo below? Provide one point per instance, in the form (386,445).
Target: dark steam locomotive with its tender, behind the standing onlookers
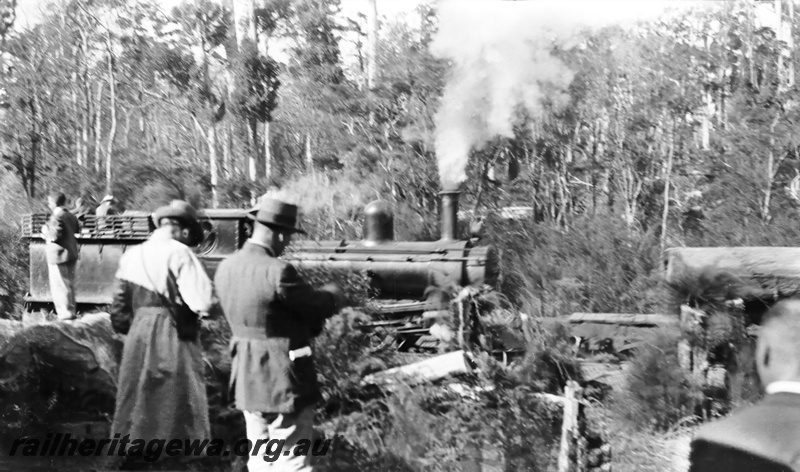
(398,270)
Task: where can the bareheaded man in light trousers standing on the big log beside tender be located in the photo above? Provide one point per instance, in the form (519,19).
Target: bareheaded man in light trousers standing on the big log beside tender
(61,250)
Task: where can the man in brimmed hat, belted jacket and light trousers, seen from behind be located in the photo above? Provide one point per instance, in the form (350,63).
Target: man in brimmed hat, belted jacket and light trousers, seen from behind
(273,314)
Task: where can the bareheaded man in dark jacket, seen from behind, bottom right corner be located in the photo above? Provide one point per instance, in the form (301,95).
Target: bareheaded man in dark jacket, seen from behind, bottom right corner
(764,437)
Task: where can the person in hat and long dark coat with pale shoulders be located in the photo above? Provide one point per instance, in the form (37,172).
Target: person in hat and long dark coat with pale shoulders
(161,291)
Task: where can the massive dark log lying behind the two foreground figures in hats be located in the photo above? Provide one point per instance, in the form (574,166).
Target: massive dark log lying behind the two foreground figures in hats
(76,364)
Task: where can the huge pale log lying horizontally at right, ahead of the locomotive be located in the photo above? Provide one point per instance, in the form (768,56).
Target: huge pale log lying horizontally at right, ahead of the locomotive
(745,272)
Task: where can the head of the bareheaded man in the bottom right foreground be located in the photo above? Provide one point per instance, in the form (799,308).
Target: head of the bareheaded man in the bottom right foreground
(779,341)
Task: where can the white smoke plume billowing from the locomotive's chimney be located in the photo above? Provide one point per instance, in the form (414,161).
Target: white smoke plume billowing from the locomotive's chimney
(500,60)
